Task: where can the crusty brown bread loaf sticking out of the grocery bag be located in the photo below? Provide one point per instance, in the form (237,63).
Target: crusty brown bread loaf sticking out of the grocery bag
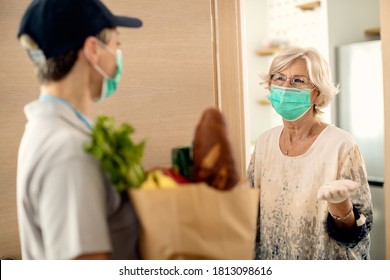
(212,153)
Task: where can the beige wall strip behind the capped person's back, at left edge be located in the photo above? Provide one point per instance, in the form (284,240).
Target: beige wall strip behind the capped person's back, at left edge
(18,87)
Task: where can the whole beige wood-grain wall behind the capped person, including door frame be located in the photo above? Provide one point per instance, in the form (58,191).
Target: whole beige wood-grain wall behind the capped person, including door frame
(170,76)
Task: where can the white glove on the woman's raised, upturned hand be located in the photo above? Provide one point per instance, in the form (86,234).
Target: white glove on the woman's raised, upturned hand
(337,191)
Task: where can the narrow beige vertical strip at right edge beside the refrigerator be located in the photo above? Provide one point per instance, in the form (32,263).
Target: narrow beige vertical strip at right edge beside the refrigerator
(385,37)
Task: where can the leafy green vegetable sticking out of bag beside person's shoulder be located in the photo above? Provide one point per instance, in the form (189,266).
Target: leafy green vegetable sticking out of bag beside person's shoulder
(119,155)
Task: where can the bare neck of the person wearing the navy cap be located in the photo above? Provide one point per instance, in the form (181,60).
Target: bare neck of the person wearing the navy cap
(72,89)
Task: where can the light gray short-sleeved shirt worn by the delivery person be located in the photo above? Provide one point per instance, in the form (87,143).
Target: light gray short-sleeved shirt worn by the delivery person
(66,206)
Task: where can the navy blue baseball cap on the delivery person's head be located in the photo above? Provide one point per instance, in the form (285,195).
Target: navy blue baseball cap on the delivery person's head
(59,26)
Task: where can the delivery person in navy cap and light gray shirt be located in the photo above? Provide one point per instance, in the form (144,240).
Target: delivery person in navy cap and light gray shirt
(67,208)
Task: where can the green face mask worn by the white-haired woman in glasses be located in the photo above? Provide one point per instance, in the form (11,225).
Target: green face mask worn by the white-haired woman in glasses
(290,103)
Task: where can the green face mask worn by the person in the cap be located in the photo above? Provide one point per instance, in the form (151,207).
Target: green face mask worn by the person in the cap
(110,84)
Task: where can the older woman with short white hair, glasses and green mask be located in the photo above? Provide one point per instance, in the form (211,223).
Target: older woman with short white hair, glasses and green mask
(315,202)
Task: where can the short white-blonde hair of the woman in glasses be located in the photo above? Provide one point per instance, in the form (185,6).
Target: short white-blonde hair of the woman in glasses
(318,69)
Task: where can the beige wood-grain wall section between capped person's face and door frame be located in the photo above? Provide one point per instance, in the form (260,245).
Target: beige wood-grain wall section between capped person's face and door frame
(168,74)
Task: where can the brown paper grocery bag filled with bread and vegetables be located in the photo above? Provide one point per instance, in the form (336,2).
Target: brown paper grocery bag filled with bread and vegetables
(195,221)
